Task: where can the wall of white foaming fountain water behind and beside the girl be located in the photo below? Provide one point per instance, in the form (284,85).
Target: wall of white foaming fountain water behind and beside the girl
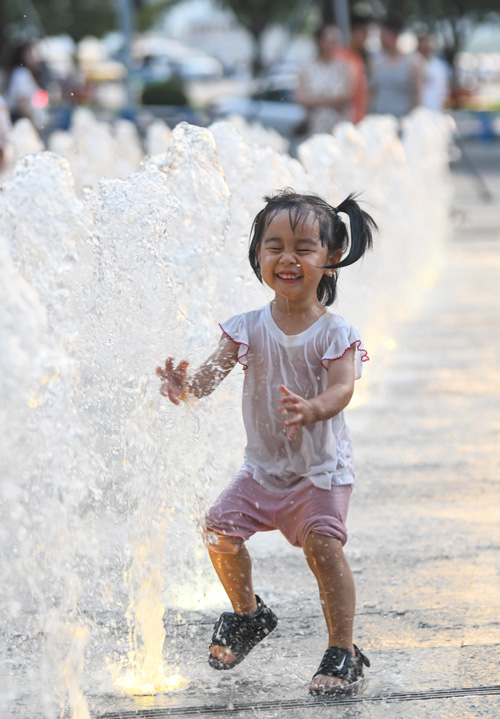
(103,481)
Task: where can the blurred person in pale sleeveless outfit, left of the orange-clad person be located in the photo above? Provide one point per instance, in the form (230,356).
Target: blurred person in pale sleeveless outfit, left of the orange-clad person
(326,84)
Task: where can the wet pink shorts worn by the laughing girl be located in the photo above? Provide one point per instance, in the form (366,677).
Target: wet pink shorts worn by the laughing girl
(245,507)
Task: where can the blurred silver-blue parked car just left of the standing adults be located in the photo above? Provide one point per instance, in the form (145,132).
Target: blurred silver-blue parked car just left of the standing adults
(272,105)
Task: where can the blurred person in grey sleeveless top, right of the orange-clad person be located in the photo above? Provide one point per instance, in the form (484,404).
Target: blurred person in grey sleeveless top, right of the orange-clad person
(395,77)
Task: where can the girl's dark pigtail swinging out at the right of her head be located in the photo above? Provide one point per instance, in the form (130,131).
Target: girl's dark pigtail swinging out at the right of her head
(362,227)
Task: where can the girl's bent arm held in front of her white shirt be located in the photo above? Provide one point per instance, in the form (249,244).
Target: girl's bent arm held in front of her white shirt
(333,400)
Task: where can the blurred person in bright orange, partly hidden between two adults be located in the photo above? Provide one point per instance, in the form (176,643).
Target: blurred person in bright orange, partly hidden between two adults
(357,55)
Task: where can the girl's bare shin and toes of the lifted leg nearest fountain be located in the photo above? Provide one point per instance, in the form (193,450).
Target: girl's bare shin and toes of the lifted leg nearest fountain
(235,574)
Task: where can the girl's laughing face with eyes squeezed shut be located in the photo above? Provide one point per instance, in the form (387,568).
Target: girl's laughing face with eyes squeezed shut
(292,261)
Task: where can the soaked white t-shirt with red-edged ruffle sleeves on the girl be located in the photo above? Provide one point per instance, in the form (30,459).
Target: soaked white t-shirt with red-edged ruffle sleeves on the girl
(319,452)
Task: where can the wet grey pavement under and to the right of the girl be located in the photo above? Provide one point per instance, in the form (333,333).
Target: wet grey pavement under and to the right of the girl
(424,522)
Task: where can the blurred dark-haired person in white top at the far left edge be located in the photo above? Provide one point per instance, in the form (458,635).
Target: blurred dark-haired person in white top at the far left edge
(22,83)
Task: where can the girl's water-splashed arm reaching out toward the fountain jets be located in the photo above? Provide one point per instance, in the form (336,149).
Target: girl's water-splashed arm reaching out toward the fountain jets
(177,385)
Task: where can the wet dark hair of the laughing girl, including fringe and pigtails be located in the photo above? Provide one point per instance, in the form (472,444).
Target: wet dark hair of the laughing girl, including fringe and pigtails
(332,231)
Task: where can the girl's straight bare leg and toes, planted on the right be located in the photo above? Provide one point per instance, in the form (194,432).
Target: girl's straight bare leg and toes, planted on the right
(326,559)
